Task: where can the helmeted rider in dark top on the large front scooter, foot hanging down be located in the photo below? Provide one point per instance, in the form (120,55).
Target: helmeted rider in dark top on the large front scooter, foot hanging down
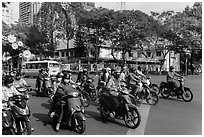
(64,88)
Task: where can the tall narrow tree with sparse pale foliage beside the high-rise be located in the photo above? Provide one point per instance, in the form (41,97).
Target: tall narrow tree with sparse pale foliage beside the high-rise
(51,22)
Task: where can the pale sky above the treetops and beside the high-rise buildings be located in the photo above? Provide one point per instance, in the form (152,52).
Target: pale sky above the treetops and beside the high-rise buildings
(146,7)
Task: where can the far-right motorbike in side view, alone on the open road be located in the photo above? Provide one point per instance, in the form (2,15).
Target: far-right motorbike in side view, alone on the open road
(182,91)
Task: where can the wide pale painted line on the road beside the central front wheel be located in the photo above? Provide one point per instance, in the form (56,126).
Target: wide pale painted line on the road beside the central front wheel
(144,111)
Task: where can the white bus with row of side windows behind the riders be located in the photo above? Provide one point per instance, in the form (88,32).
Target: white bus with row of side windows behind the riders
(31,68)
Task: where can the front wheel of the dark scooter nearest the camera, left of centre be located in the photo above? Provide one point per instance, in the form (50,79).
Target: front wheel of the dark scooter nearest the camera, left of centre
(80,128)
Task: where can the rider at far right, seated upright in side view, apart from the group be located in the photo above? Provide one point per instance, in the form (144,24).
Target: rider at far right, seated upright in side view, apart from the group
(172,78)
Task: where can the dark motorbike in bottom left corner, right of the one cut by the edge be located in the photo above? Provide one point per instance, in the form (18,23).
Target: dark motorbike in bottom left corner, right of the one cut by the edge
(21,113)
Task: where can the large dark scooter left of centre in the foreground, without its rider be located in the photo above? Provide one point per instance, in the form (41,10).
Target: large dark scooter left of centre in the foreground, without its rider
(72,114)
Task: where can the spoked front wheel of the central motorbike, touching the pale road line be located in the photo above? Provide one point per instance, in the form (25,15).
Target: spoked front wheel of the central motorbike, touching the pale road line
(132,118)
